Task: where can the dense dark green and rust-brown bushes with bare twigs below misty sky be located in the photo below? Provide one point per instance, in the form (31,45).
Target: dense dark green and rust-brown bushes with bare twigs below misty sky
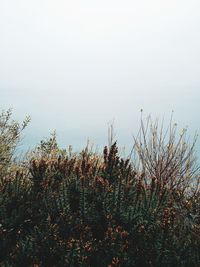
(60,208)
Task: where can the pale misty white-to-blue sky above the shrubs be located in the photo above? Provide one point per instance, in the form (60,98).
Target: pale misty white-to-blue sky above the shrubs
(76,66)
